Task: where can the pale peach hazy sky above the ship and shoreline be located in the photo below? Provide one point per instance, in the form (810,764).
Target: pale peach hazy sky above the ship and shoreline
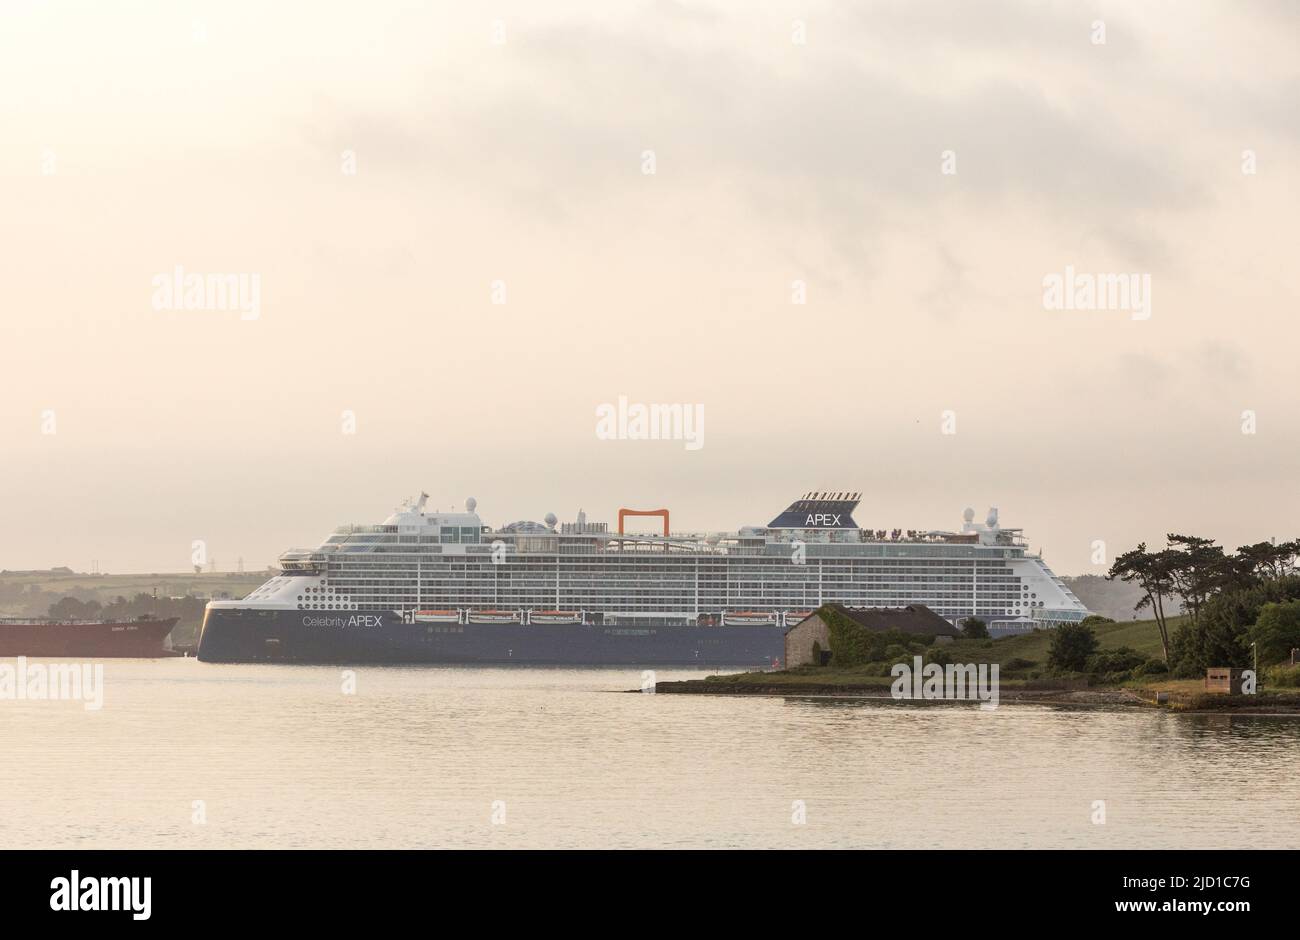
(826,228)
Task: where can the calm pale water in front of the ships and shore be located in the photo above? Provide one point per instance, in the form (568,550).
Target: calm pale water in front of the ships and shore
(418,757)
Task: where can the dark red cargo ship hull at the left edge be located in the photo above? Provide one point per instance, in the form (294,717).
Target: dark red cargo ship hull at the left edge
(85,639)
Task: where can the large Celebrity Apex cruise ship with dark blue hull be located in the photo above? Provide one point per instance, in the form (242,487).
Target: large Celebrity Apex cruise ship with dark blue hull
(430,587)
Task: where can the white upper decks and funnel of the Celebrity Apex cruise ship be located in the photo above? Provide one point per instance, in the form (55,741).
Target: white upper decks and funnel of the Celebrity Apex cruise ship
(450,568)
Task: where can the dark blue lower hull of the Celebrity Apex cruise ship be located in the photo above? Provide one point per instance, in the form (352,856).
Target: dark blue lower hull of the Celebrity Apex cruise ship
(257,636)
